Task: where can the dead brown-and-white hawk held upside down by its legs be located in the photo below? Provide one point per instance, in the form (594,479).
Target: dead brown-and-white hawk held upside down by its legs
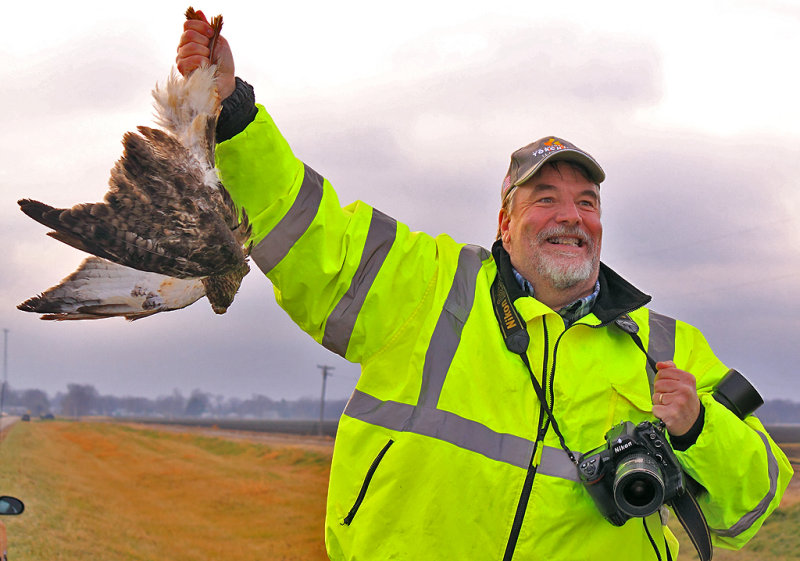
(167,231)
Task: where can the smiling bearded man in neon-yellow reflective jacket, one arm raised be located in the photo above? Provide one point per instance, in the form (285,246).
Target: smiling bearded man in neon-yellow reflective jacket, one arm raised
(459,439)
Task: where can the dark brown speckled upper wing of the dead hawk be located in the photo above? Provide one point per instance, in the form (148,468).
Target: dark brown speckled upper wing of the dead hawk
(159,214)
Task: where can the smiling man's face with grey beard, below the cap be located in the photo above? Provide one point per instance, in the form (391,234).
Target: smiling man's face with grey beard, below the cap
(553,232)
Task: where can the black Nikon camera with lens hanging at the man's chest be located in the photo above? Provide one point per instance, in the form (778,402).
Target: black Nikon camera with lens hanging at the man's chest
(633,473)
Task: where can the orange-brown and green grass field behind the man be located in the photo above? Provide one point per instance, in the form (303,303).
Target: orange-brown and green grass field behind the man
(111,492)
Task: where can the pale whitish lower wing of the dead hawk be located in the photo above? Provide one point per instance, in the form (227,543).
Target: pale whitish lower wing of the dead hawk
(100,289)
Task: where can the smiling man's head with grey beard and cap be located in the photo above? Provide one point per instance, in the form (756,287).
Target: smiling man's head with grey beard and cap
(550,219)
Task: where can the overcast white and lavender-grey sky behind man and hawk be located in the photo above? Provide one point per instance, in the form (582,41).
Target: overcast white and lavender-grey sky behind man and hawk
(415,107)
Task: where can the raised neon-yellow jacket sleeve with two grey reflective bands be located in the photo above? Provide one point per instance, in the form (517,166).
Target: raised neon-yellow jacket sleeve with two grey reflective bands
(328,264)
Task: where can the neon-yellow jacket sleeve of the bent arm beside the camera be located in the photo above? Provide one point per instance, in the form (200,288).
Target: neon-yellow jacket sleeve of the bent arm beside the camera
(743,471)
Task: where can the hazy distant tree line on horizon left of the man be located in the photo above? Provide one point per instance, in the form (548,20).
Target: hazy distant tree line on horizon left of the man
(81,400)
